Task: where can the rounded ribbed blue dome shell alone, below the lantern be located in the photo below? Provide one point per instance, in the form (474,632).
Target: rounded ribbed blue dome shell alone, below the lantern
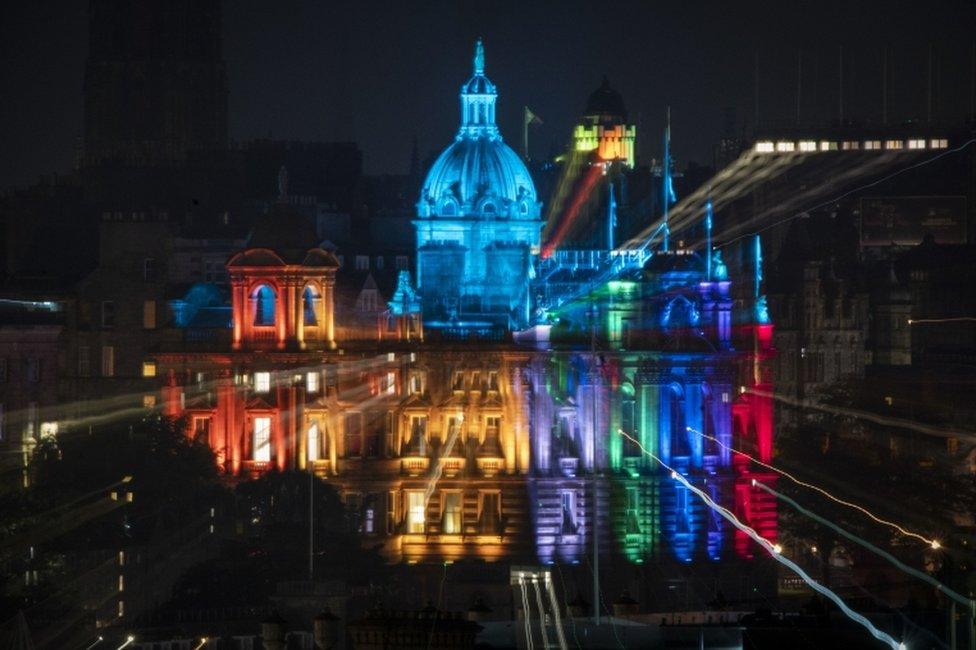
(479,176)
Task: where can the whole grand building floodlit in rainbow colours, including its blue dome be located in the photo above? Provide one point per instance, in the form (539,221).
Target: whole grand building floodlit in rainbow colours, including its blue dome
(499,426)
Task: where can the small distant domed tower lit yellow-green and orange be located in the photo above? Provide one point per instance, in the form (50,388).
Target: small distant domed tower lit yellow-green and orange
(604,127)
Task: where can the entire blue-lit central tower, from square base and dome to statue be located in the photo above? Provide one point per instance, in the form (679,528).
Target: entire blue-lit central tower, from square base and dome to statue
(478,220)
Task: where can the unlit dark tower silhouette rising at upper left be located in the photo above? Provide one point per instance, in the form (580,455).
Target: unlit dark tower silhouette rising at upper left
(155,83)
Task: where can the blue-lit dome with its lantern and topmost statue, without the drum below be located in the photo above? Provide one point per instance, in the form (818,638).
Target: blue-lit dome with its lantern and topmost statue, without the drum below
(478,174)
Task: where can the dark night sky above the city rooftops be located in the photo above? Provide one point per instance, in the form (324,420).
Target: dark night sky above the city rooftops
(384,73)
